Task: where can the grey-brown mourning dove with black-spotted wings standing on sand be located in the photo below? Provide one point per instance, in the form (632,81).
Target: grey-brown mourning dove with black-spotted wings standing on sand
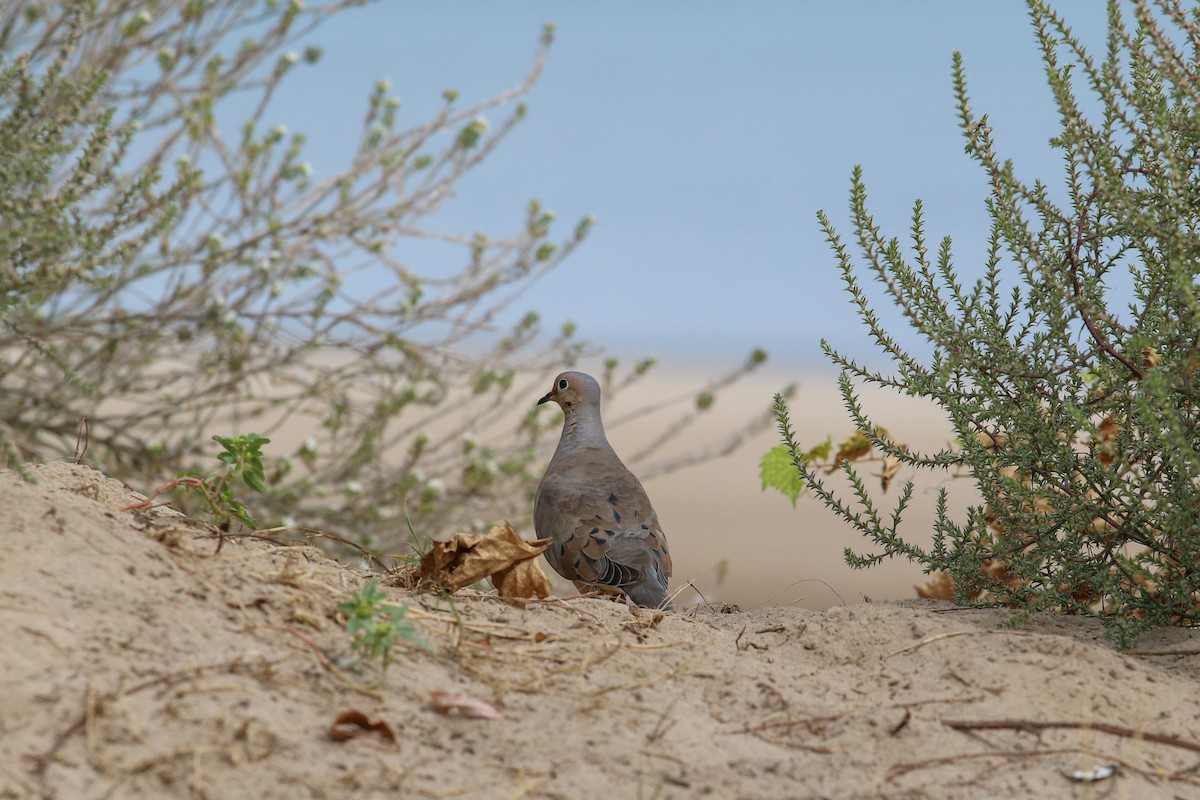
(604,530)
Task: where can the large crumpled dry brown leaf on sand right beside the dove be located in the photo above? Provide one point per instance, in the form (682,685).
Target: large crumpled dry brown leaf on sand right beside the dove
(500,555)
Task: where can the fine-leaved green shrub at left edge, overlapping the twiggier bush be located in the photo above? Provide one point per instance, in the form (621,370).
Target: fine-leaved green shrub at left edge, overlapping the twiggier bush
(59,153)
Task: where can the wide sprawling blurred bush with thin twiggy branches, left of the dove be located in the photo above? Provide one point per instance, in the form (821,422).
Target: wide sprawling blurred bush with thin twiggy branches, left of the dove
(257,292)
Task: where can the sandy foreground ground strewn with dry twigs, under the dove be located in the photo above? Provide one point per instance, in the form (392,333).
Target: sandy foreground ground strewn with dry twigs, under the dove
(137,661)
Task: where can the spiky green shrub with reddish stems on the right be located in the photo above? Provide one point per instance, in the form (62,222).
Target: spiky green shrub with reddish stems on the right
(1077,418)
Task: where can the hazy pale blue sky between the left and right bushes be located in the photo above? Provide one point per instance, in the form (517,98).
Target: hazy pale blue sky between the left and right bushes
(704,137)
